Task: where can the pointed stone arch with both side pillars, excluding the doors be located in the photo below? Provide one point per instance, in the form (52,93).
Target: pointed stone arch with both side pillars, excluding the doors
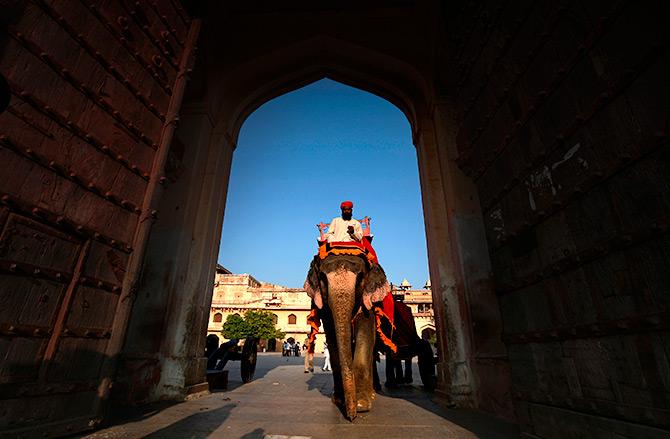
(220,99)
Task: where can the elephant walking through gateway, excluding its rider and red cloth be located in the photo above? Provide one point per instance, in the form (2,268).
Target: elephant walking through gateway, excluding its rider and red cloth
(344,288)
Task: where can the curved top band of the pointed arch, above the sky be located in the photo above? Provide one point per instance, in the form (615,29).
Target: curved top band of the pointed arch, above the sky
(264,79)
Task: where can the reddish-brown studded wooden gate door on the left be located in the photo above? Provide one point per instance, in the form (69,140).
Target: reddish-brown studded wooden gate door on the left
(95,87)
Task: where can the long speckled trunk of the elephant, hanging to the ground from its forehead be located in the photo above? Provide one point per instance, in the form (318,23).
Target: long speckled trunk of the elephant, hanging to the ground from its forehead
(341,299)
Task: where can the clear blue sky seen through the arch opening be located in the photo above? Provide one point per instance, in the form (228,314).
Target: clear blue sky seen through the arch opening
(298,156)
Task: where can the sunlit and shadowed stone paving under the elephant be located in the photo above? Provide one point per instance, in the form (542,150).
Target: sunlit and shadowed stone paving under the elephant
(283,402)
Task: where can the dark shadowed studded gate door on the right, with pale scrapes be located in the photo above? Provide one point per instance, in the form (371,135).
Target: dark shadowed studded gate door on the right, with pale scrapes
(563,124)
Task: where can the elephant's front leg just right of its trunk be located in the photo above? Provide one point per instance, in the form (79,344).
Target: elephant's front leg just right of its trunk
(363,358)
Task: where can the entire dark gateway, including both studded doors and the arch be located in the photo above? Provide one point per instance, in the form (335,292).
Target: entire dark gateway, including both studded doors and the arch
(115,170)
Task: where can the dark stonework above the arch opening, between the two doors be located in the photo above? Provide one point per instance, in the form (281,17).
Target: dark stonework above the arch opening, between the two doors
(255,69)
